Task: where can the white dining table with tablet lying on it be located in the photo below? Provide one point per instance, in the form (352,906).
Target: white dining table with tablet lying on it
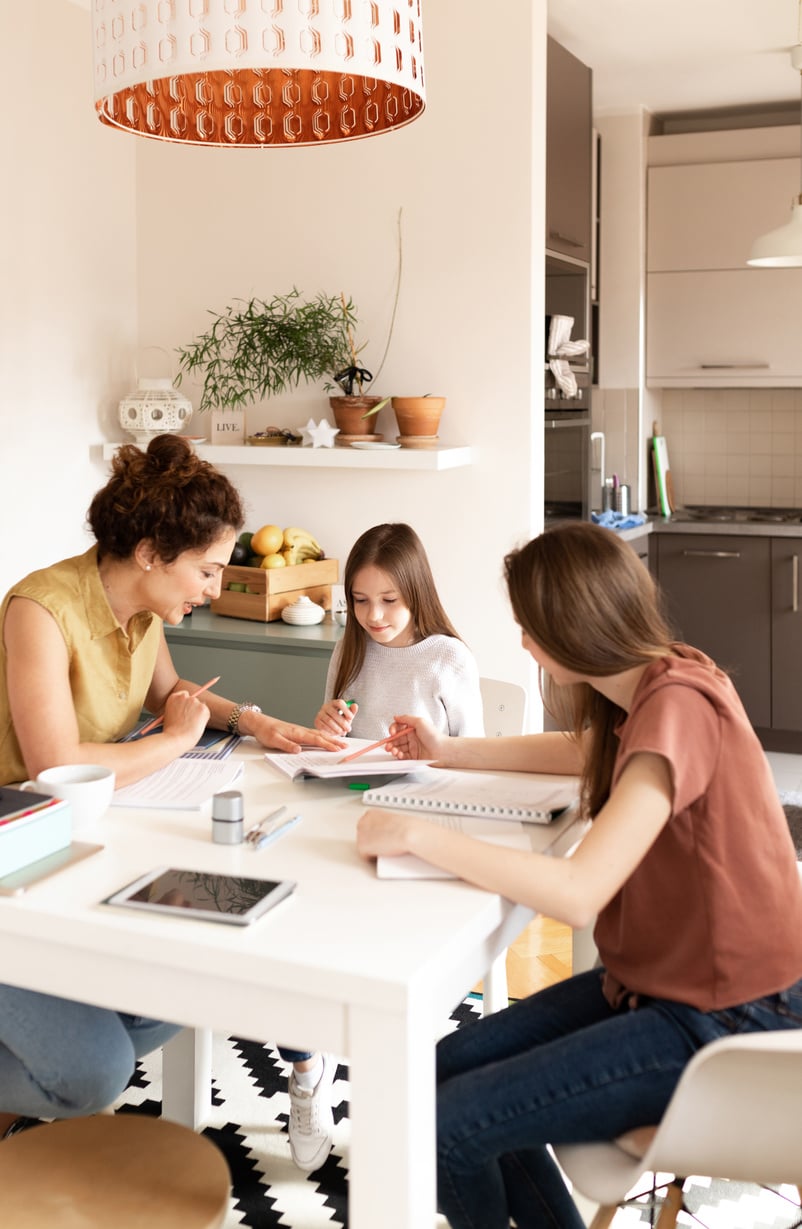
(367,969)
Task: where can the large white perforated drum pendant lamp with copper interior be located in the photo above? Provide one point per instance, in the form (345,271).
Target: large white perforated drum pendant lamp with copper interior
(259,73)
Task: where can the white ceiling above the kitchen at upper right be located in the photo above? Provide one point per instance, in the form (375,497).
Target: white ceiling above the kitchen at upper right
(670,56)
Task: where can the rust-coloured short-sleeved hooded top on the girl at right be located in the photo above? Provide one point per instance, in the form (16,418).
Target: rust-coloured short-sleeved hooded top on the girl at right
(713,915)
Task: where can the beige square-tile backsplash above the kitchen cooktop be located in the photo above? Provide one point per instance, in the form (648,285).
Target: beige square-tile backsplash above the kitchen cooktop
(735,446)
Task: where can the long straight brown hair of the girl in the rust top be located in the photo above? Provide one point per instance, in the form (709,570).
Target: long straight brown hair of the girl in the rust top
(585,598)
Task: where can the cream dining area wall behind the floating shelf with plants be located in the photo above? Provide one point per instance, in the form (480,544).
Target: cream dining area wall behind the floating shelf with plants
(115,244)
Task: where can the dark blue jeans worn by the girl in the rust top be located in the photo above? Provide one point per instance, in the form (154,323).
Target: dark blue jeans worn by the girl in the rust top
(563,1067)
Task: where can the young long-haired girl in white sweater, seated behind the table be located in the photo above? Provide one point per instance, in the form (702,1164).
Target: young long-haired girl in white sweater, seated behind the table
(400,652)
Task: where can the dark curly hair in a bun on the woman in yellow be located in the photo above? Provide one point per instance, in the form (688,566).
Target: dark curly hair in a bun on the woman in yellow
(166,496)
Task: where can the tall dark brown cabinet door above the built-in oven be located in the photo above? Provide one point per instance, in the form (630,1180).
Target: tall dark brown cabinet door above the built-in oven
(568,154)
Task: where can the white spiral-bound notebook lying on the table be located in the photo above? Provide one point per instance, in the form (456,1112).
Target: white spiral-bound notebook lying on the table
(536,799)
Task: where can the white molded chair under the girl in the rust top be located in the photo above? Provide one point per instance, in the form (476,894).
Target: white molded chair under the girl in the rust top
(734,1115)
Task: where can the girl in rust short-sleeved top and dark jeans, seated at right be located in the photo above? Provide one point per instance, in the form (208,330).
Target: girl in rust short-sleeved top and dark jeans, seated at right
(688,867)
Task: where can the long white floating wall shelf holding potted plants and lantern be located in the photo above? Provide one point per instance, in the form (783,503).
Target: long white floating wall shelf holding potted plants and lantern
(329,459)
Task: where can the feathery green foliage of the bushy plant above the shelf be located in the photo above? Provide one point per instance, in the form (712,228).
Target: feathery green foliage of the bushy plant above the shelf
(257,348)
